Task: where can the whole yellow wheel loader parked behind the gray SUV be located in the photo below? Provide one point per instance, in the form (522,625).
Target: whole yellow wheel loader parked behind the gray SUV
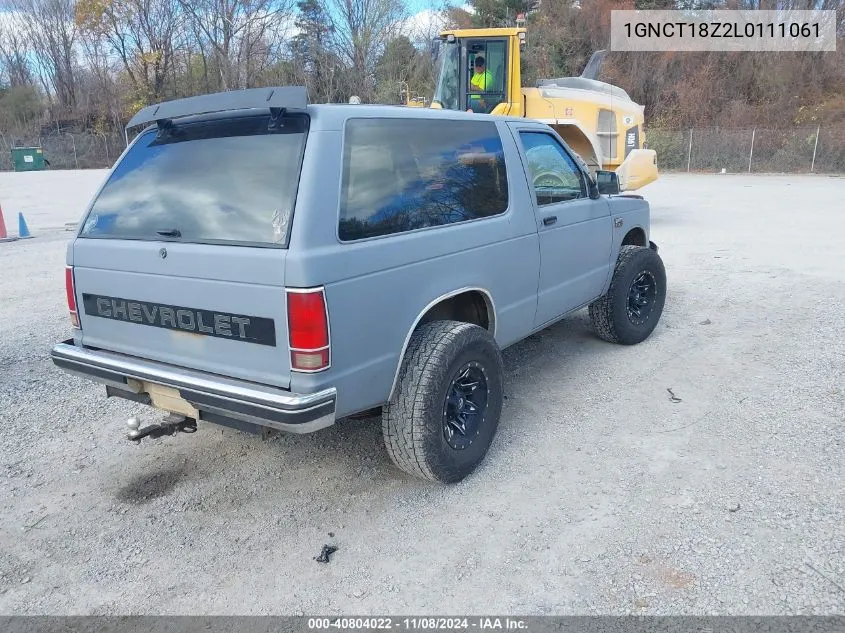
(479,71)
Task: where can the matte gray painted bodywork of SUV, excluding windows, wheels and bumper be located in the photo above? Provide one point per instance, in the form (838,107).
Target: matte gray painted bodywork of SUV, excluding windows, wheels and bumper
(376,289)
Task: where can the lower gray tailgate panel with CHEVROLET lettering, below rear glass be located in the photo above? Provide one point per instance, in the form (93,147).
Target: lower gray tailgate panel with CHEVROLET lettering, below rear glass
(169,309)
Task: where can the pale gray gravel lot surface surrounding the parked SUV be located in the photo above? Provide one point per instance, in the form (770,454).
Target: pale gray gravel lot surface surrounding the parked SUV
(599,495)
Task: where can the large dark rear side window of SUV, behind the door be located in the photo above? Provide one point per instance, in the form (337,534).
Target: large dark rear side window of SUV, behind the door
(405,174)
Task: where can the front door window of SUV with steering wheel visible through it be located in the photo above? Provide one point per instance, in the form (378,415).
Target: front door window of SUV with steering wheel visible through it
(556,176)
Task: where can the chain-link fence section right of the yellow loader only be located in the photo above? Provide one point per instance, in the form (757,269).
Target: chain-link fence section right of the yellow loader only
(817,149)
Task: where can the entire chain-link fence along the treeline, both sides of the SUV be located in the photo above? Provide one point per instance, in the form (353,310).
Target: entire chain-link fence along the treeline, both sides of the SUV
(819,149)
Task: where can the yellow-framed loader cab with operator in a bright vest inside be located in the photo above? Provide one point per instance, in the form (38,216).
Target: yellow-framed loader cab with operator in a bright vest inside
(478,71)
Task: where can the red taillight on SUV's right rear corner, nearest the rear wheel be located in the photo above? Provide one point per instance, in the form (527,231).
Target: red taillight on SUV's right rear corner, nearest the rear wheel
(308,330)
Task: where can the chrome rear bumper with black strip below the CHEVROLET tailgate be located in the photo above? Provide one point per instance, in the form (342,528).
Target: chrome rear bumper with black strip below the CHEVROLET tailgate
(213,396)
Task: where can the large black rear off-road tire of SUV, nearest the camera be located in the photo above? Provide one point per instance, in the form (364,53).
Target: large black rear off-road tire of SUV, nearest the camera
(413,420)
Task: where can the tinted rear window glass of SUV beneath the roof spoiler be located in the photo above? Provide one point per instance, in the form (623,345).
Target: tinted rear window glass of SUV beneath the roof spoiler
(220,181)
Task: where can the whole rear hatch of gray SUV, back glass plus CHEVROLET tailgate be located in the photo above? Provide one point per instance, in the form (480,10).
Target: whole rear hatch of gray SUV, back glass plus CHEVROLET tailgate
(181,258)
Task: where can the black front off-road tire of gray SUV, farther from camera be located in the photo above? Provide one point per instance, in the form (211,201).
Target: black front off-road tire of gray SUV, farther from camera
(609,314)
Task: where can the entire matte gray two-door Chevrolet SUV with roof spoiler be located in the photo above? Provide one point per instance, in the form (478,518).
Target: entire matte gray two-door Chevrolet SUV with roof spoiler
(285,292)
